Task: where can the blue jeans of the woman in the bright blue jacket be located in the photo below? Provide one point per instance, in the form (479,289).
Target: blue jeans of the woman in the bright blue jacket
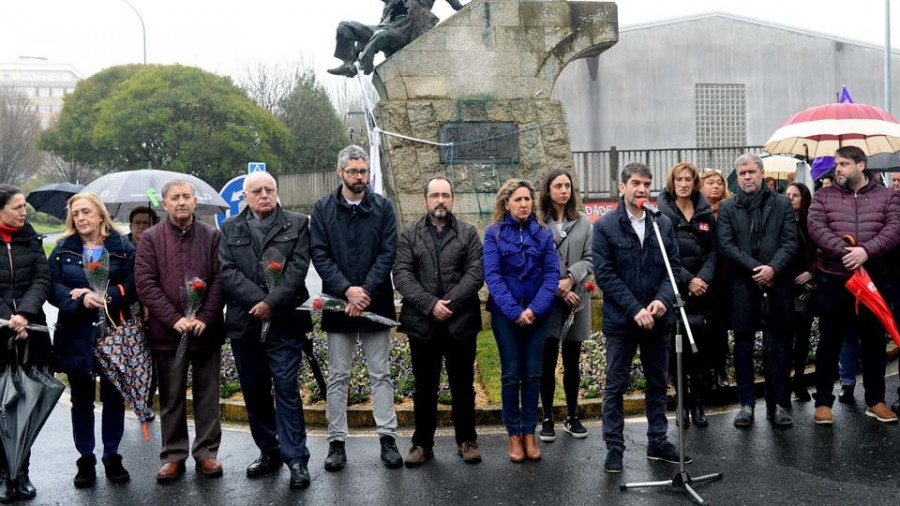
(521,349)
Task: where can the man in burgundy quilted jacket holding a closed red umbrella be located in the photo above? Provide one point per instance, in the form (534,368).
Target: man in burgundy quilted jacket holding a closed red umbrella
(858,206)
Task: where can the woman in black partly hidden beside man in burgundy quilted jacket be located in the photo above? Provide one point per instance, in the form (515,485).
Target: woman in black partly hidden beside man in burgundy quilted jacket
(801,269)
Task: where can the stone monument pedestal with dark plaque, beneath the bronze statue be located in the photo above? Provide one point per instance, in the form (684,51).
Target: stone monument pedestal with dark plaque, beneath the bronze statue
(483,73)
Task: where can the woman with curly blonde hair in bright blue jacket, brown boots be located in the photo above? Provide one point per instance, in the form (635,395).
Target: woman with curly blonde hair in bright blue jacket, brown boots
(521,269)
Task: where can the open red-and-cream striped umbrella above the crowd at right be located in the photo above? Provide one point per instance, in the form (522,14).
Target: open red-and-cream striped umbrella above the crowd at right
(819,131)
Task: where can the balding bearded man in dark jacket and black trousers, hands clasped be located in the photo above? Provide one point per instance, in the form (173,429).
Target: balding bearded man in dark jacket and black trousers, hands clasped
(438,272)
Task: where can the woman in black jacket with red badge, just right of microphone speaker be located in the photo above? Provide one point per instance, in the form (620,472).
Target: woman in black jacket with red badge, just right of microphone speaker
(695,230)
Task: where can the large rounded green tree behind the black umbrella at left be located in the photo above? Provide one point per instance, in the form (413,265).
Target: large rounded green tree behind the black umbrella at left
(169,117)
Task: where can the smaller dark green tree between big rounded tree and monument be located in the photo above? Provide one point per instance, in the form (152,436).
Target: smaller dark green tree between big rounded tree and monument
(314,124)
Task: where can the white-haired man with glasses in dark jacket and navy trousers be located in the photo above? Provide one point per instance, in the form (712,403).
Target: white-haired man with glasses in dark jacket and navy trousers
(263,234)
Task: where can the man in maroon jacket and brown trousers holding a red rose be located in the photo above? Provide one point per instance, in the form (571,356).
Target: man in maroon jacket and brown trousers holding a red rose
(173,253)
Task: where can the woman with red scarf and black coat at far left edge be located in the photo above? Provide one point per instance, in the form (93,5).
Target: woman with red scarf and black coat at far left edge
(24,286)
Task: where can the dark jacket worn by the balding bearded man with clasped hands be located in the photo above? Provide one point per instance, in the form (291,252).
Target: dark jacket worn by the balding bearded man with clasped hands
(416,270)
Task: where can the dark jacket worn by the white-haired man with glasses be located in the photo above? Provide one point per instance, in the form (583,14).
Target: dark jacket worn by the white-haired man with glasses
(244,283)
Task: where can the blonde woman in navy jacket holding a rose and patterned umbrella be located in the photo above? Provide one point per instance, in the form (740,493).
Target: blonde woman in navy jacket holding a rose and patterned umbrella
(90,236)
